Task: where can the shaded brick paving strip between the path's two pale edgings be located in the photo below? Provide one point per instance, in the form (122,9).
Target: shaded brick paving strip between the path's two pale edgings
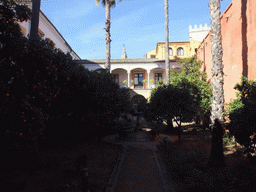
(139,172)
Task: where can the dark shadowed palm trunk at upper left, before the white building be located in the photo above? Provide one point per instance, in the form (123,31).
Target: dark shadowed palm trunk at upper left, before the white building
(35,18)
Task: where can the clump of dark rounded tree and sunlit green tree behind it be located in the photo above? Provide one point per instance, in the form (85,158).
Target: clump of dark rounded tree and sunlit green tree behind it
(187,97)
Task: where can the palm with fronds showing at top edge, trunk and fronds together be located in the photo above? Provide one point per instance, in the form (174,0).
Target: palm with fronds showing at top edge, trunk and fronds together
(107,4)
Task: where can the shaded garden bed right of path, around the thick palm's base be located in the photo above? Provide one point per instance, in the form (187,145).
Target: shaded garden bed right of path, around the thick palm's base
(187,170)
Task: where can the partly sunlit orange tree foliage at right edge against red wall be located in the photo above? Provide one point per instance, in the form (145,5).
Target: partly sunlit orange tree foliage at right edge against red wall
(242,112)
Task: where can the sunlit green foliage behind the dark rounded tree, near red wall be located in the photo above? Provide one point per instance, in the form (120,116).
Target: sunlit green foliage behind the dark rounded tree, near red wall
(190,77)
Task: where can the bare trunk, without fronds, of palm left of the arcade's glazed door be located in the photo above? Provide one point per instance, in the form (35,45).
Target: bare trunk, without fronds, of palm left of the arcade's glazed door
(108,40)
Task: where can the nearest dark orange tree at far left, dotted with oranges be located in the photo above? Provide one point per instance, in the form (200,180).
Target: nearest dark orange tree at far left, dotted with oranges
(29,76)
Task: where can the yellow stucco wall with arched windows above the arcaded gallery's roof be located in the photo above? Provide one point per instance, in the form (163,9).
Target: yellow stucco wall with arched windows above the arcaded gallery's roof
(189,48)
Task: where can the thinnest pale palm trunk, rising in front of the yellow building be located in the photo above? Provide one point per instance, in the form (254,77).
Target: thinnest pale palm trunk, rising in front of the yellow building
(167,65)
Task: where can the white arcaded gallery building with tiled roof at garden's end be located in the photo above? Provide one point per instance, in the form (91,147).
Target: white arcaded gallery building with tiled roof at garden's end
(140,75)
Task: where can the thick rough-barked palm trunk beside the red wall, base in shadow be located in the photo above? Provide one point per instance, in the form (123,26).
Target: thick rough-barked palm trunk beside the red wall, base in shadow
(217,119)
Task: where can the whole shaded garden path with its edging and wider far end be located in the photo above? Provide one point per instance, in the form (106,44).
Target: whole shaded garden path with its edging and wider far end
(139,168)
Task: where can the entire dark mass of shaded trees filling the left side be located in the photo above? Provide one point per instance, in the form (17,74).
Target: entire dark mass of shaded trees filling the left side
(45,95)
